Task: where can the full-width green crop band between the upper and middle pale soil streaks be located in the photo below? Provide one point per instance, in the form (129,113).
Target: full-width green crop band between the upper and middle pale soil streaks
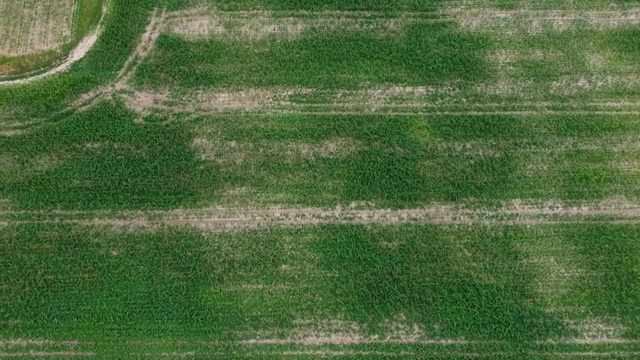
(103,159)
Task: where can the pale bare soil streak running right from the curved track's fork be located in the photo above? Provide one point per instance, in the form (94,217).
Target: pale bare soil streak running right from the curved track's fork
(389,99)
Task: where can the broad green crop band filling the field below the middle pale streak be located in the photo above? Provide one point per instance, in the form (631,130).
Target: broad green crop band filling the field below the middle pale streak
(115,287)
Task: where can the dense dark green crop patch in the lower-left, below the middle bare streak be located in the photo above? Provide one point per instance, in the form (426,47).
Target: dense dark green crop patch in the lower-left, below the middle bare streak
(65,281)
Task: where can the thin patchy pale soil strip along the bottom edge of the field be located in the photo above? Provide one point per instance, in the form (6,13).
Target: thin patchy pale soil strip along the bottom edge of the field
(330,344)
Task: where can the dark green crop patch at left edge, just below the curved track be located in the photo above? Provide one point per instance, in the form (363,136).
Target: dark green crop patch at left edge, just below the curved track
(105,160)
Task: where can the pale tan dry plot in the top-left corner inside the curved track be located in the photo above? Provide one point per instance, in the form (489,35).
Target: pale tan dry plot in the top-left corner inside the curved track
(30,26)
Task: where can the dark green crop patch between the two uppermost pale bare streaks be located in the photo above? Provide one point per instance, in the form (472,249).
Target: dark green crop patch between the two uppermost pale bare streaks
(426,54)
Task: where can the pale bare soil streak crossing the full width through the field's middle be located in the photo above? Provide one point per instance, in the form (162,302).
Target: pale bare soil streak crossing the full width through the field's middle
(613,211)
